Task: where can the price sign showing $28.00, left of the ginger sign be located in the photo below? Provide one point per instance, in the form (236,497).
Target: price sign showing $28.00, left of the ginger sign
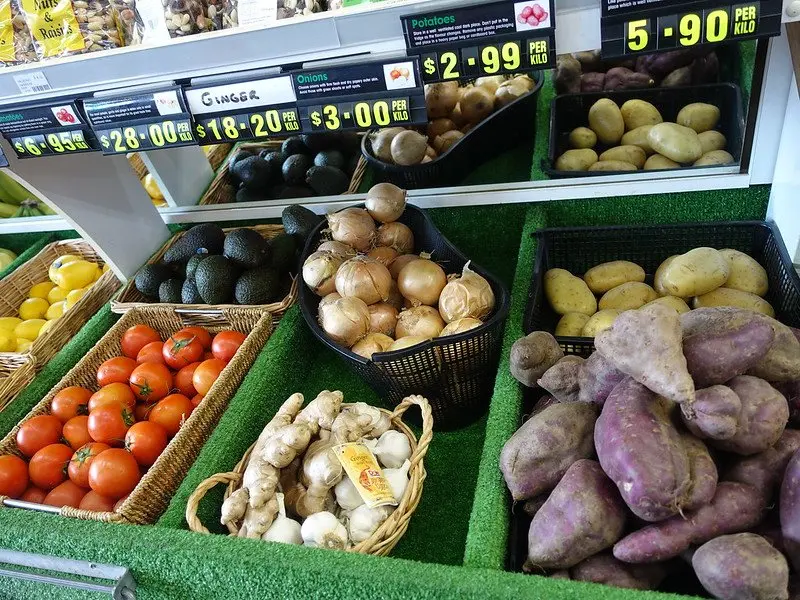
(139,122)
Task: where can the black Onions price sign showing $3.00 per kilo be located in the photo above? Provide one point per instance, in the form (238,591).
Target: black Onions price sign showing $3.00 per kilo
(363,96)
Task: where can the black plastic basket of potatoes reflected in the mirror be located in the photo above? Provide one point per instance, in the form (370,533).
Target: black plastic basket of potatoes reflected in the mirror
(572,110)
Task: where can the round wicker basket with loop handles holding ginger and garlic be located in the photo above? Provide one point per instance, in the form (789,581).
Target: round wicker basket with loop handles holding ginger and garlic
(389,533)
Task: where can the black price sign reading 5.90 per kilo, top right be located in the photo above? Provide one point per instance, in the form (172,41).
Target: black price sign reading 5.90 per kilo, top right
(631,27)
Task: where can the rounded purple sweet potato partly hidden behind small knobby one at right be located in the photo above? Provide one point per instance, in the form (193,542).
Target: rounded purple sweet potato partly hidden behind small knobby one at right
(764,415)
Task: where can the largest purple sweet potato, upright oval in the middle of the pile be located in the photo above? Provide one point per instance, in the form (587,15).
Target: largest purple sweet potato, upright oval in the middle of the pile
(642,452)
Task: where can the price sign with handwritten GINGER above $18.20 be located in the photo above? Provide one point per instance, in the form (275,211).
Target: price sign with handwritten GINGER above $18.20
(244,110)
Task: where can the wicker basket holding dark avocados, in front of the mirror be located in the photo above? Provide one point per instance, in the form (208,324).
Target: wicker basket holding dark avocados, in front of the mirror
(129,297)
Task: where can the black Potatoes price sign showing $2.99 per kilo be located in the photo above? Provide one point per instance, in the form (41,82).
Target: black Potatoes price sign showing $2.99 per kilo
(487,39)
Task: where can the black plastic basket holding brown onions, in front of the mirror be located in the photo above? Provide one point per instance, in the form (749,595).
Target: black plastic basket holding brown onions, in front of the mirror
(455,373)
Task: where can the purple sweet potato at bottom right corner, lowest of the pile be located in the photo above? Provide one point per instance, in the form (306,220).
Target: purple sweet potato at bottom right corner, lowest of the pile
(743,566)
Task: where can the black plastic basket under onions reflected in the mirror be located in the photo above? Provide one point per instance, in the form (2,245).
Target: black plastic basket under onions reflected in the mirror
(501,131)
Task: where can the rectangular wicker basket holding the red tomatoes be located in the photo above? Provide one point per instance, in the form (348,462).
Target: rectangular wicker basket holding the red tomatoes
(152,494)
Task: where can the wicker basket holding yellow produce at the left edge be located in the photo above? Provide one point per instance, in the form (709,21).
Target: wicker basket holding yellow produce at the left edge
(14,290)
